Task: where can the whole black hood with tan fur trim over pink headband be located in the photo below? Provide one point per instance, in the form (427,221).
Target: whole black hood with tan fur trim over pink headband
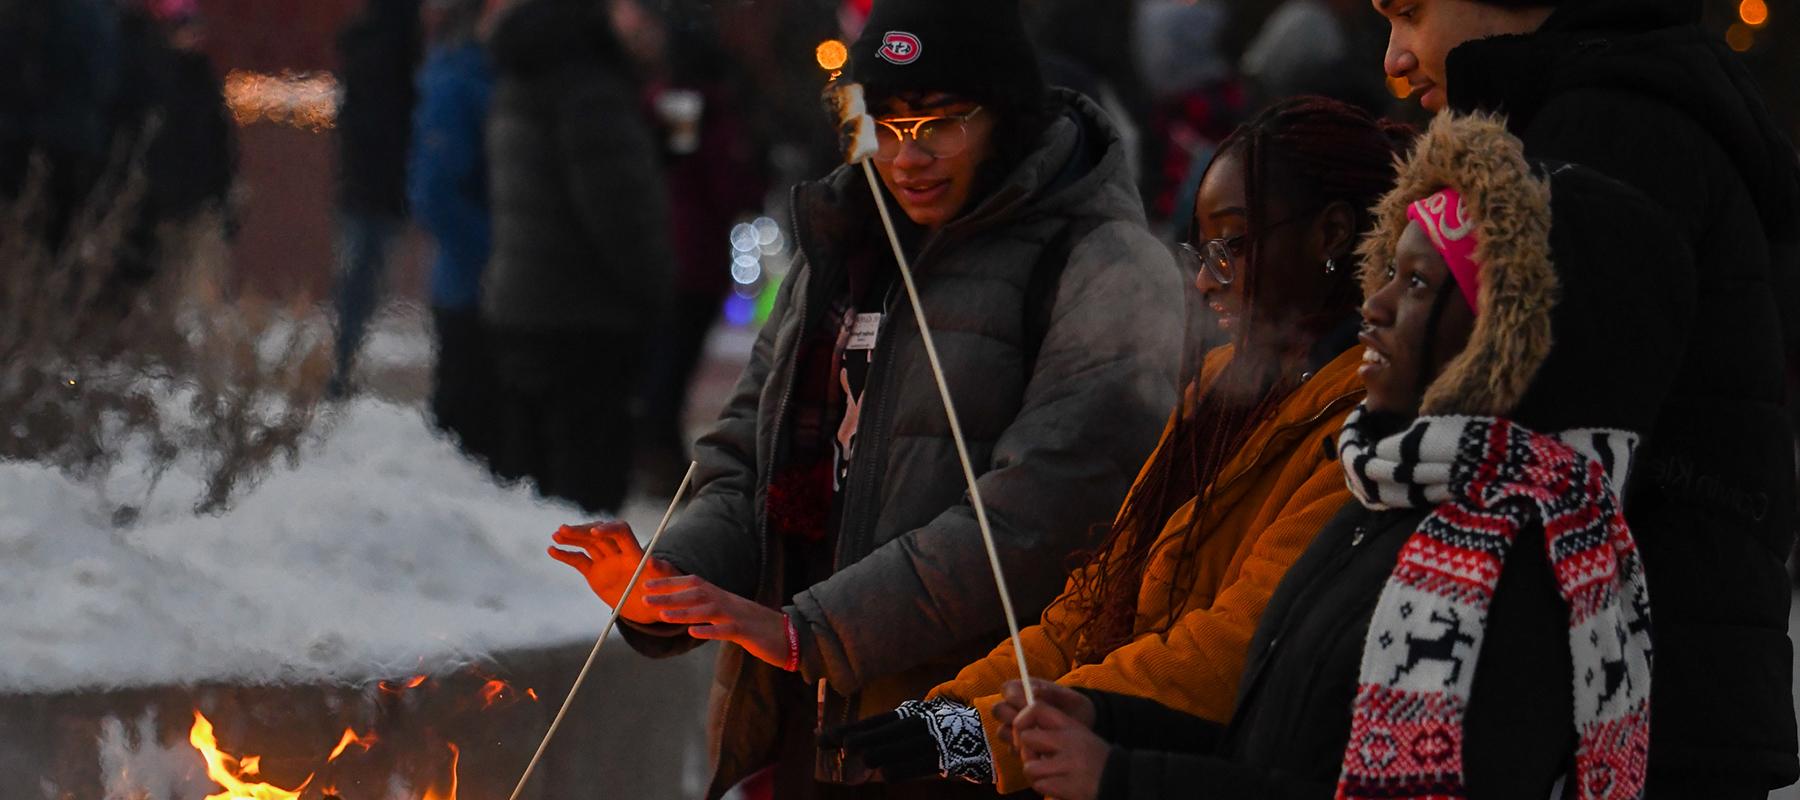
(1585,302)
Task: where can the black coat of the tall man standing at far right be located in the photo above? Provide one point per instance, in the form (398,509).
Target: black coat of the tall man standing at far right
(1637,91)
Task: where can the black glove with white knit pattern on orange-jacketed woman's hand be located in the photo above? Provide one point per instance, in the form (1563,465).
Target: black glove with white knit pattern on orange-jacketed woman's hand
(919,740)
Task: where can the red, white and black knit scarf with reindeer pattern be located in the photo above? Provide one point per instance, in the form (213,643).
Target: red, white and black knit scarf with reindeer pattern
(1491,480)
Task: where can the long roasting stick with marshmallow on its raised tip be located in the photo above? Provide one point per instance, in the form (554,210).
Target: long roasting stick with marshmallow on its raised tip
(858,127)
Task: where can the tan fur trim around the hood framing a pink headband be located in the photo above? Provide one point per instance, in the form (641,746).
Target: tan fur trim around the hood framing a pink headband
(1511,205)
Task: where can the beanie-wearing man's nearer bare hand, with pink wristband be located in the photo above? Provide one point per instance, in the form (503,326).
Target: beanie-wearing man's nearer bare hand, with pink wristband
(714,614)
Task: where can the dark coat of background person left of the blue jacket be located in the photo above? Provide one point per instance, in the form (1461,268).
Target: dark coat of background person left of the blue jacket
(379,55)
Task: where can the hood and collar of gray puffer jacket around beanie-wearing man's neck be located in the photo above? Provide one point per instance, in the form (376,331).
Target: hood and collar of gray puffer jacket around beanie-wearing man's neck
(1079,168)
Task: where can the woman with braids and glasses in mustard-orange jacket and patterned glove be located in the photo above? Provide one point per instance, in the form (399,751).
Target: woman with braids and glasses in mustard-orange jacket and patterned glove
(1241,482)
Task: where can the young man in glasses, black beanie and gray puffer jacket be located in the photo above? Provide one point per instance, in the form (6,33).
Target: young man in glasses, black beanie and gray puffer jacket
(829,541)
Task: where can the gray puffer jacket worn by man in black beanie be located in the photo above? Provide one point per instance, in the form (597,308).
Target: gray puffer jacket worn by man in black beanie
(913,599)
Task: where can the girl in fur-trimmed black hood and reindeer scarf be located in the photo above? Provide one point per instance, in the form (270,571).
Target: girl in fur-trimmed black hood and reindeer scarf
(1479,623)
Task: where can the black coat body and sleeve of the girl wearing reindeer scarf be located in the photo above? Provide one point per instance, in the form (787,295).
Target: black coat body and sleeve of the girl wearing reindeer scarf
(1293,718)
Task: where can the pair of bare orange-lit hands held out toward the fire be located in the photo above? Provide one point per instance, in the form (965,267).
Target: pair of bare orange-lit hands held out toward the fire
(607,559)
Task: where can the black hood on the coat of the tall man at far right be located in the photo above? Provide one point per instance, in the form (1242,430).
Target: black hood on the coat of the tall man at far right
(1651,50)
